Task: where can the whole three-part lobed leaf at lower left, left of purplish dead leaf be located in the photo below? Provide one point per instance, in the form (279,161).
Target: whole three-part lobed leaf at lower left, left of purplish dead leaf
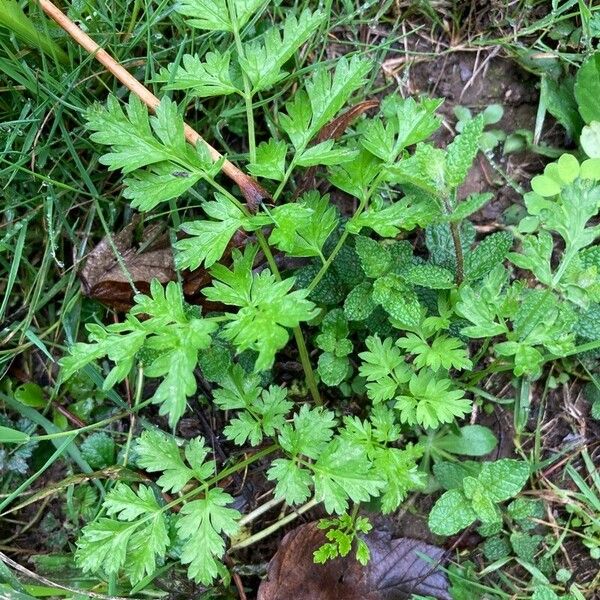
(135,532)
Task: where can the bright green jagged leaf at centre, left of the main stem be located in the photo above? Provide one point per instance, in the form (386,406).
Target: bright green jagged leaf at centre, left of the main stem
(267,308)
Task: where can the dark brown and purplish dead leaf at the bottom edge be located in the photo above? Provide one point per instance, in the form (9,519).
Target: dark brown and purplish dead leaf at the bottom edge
(395,571)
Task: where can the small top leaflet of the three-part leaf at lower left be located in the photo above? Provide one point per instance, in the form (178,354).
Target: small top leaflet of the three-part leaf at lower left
(159,452)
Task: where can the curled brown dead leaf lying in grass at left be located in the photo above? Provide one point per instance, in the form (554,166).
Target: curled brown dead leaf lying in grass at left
(107,279)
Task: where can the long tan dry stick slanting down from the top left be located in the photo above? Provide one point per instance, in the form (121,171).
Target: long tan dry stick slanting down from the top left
(252,190)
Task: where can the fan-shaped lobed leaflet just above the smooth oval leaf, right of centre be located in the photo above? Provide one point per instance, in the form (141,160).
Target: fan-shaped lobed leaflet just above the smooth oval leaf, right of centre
(432,401)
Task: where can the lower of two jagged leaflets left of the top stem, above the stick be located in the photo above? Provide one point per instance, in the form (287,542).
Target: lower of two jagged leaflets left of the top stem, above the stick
(204,79)
